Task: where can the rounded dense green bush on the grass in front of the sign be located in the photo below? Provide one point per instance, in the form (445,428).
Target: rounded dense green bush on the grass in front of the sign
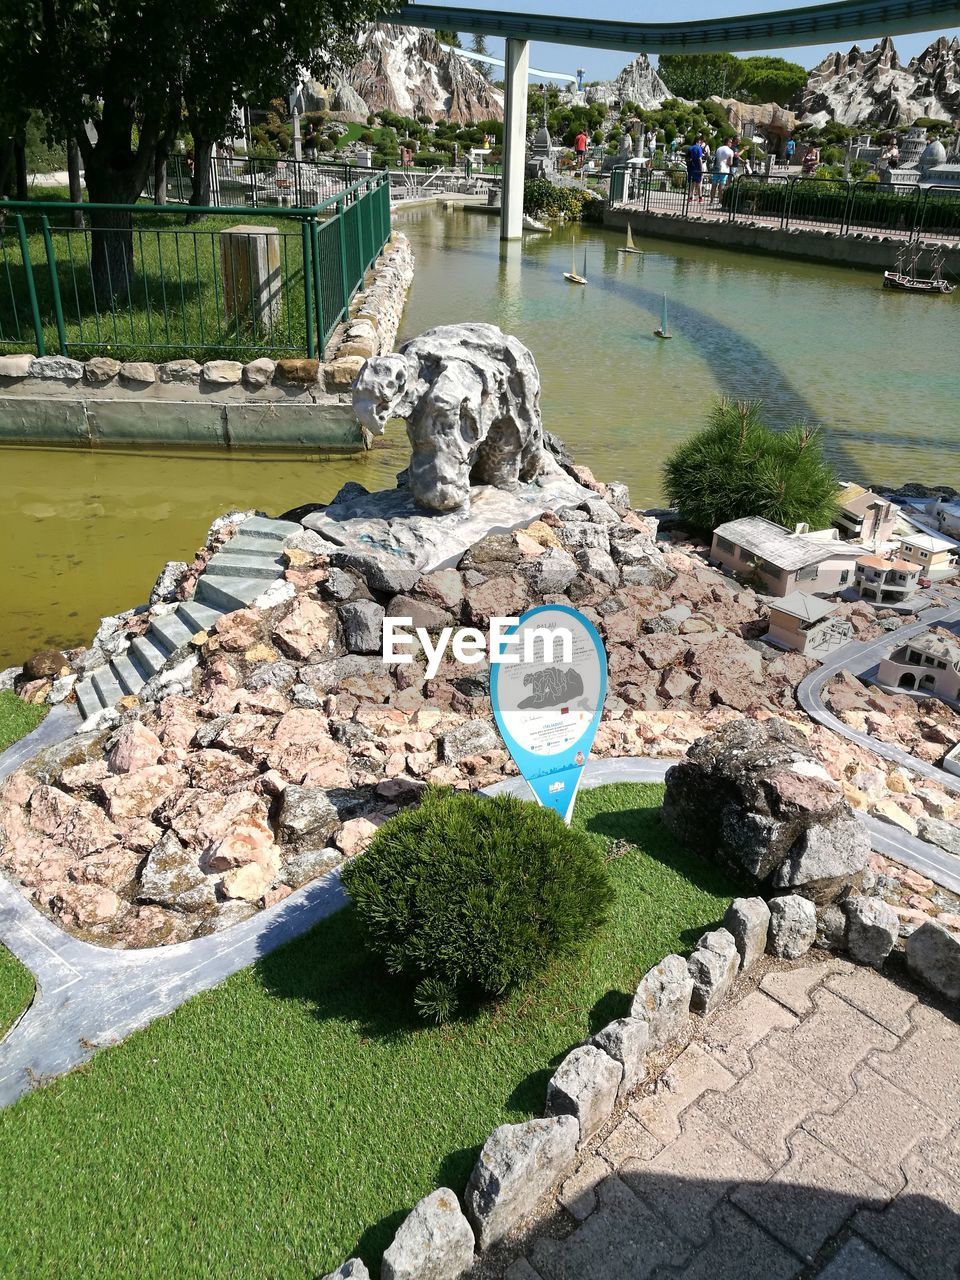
(468,897)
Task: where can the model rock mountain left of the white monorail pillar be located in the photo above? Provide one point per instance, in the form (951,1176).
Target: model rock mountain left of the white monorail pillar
(410,72)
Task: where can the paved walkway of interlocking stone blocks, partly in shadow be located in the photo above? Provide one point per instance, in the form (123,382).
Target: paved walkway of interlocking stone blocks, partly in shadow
(811,1130)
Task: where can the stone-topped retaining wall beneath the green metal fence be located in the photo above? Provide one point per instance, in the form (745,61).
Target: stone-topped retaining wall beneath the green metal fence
(285,404)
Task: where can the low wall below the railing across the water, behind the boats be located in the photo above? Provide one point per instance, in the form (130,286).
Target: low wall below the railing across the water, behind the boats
(865,250)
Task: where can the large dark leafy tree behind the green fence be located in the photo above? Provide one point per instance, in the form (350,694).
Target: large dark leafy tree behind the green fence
(130,67)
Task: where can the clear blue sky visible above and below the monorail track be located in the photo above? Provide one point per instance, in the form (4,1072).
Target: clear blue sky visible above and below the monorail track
(601,65)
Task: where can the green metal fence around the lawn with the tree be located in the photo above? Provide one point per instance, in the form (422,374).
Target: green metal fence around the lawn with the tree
(139,281)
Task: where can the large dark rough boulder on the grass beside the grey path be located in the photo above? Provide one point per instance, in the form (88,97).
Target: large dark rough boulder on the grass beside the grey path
(755,794)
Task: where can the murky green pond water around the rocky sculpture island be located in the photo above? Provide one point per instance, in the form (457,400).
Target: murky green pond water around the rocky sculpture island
(85,533)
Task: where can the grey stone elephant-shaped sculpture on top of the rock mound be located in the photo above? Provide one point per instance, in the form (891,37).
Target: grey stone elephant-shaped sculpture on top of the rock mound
(470,396)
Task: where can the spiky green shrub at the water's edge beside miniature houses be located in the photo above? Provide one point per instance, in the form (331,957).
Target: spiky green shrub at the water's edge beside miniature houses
(737,468)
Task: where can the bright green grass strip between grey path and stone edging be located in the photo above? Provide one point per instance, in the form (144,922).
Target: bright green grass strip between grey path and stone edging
(292,1117)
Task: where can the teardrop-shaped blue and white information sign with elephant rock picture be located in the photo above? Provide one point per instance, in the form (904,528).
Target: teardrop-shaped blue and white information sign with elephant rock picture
(548,708)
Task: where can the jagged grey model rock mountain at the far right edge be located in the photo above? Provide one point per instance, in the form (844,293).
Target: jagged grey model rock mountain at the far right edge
(872,86)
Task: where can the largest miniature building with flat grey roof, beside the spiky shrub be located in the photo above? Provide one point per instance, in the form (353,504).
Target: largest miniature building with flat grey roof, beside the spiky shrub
(781,561)
